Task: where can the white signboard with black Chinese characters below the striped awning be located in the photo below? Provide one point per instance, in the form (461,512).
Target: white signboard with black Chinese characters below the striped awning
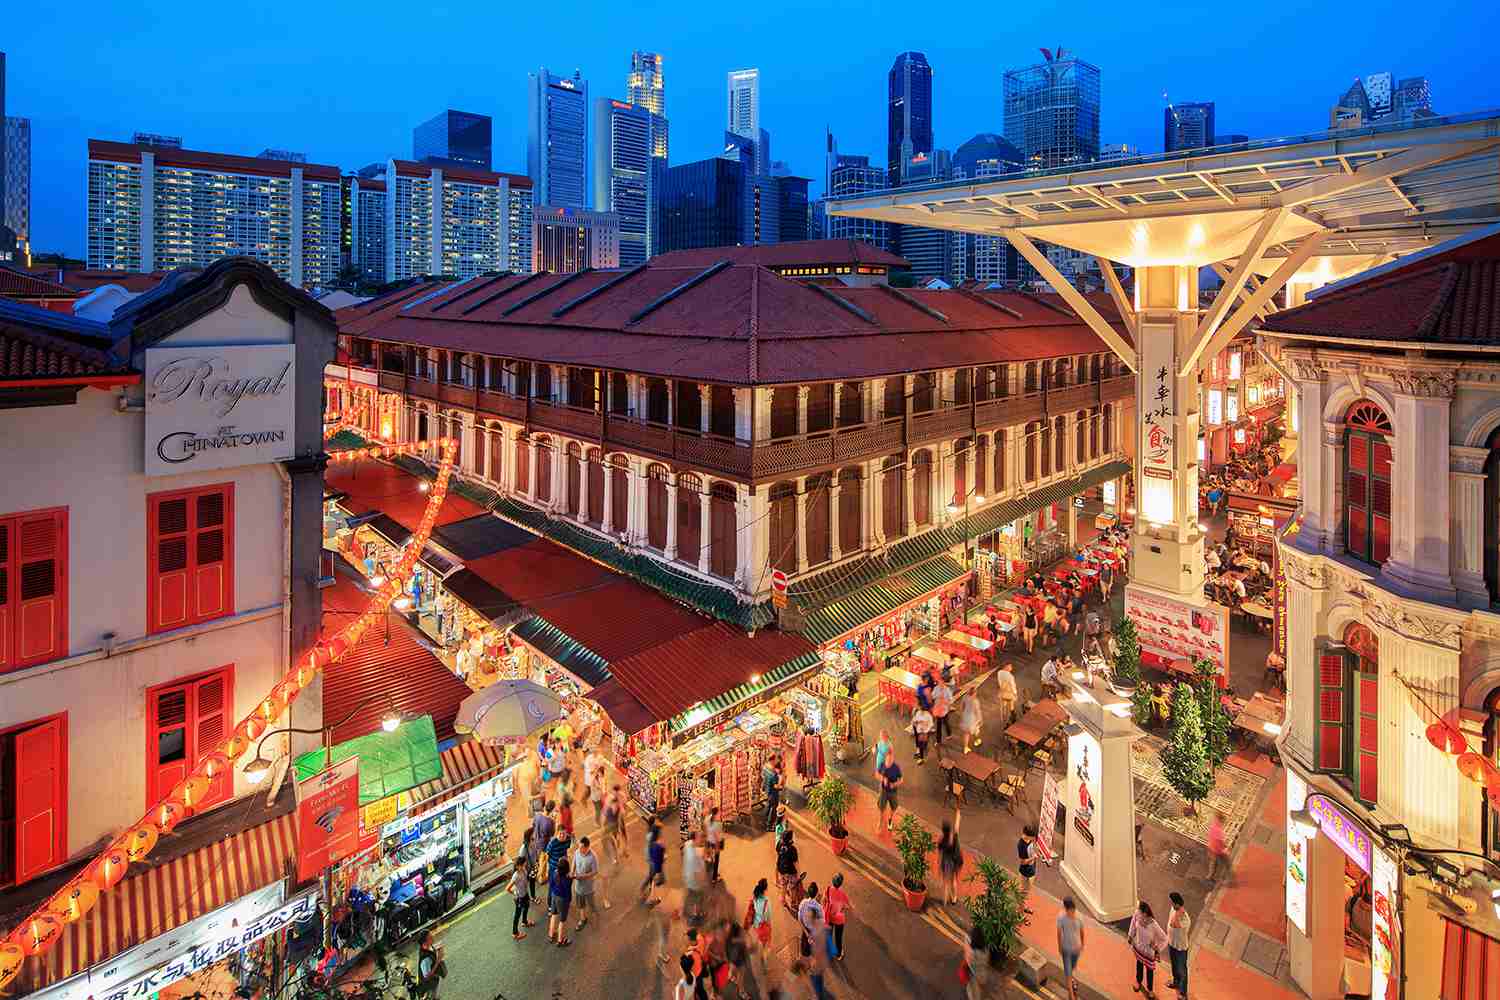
(199,944)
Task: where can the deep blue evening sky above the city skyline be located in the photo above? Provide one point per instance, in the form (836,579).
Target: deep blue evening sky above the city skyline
(347,82)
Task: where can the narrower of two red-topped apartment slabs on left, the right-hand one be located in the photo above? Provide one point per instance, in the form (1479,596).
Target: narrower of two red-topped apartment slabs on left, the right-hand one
(455,221)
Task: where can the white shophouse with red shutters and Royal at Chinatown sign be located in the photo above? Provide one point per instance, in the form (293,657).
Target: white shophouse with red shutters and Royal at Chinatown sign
(160,537)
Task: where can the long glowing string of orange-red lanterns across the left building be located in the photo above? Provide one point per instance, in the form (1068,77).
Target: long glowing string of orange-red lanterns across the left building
(70,905)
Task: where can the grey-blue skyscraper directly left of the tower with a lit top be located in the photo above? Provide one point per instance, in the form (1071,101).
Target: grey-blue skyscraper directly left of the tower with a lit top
(626,175)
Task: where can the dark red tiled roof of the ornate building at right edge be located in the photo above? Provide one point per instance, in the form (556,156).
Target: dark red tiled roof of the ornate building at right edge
(1450,298)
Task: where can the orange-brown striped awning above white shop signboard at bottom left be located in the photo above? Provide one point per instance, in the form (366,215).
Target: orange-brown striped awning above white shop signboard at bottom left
(152,903)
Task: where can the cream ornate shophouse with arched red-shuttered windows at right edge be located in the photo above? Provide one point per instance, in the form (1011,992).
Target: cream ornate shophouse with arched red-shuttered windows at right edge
(1391,582)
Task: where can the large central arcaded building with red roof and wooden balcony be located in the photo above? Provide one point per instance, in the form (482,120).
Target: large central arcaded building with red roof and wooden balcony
(728,421)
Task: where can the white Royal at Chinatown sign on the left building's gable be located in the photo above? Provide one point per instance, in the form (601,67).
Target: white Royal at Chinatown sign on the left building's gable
(218,409)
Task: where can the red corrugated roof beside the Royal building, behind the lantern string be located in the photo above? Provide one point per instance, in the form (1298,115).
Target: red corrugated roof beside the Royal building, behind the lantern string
(404,669)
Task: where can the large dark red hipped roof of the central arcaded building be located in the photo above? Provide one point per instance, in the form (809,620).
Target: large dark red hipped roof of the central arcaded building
(742,325)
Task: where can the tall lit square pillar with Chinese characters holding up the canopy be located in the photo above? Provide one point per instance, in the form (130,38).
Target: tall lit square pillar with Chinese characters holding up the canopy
(1168,552)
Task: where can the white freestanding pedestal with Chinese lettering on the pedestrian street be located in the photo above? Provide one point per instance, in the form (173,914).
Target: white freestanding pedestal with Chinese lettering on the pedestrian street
(1100,843)
